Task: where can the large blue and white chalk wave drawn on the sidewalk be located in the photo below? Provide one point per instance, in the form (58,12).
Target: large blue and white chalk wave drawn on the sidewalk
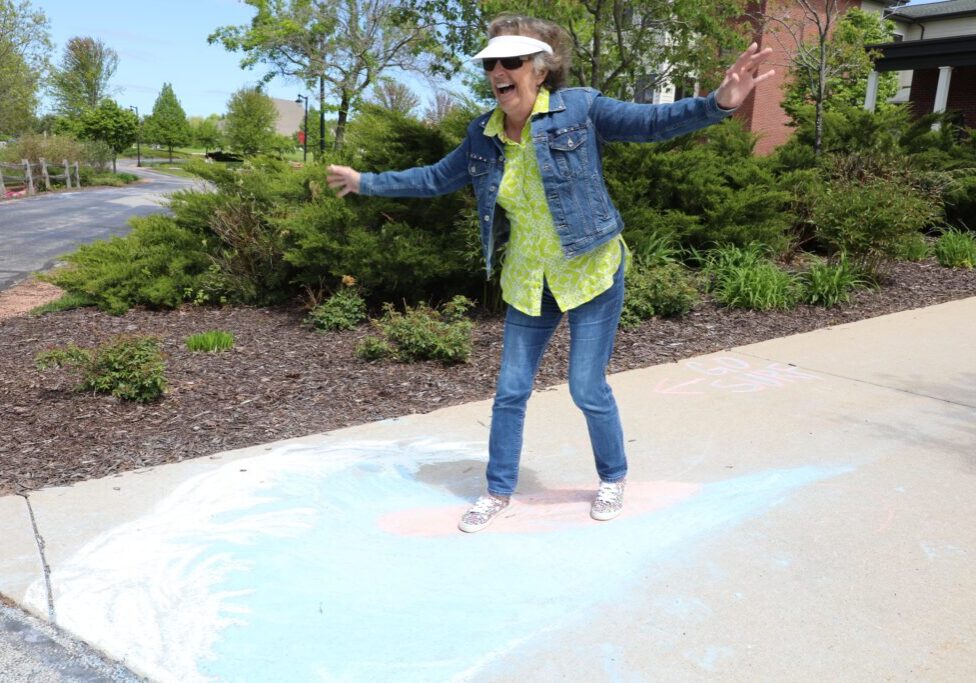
(283,567)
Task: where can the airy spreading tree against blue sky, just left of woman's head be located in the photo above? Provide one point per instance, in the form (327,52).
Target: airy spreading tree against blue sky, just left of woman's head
(343,47)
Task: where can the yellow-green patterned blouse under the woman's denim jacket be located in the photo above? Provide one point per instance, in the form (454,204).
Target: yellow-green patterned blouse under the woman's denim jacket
(533,254)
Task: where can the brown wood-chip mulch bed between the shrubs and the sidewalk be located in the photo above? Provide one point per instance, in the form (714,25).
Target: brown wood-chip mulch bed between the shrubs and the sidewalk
(284,379)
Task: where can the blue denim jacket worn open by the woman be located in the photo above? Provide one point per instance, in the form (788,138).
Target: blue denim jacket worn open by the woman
(568,142)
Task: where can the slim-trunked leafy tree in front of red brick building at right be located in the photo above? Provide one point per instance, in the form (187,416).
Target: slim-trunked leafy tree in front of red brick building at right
(826,44)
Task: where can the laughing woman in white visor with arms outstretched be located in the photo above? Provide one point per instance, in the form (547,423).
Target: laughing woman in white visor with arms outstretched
(535,164)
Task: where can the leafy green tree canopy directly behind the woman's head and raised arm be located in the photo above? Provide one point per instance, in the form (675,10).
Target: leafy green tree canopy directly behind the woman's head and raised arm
(618,46)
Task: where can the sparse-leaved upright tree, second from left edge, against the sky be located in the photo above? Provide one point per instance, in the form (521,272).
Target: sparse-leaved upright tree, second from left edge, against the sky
(81,80)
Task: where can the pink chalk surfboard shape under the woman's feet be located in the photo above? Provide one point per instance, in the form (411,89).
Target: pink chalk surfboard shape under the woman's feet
(540,512)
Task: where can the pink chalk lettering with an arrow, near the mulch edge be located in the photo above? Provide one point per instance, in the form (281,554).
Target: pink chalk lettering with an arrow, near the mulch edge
(732,375)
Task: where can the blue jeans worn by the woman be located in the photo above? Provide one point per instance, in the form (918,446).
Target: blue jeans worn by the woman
(592,330)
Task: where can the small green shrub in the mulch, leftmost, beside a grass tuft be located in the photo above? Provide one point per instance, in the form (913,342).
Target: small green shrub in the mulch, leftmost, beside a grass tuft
(129,368)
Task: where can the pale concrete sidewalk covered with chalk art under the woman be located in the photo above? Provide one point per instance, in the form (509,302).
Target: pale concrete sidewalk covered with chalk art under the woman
(801,509)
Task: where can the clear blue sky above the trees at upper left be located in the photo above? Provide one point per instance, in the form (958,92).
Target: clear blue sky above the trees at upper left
(165,41)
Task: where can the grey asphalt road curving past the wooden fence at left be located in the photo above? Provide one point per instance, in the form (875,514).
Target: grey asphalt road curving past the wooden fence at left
(36,231)
